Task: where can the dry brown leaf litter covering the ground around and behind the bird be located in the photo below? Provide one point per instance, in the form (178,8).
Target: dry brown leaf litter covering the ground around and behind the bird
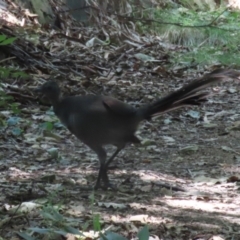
(182,181)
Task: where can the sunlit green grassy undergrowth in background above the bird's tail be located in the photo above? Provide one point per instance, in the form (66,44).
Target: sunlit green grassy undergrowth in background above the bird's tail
(203,36)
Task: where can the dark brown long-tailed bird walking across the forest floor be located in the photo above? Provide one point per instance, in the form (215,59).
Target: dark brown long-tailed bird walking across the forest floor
(100,120)
